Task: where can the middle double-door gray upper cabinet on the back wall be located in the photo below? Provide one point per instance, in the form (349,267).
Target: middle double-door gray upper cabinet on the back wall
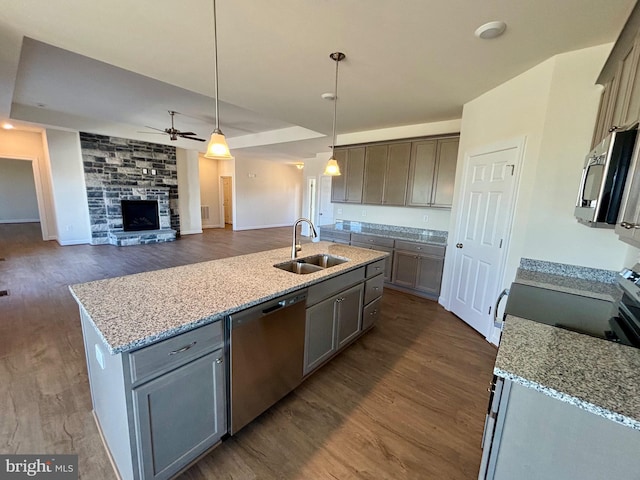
(385,174)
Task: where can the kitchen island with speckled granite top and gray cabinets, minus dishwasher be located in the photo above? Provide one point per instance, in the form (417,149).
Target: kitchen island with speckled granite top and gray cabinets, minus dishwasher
(157,344)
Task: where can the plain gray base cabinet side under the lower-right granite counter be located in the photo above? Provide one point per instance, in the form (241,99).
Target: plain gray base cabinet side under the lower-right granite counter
(531,436)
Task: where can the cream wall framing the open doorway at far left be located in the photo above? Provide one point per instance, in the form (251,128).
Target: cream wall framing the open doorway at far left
(28,145)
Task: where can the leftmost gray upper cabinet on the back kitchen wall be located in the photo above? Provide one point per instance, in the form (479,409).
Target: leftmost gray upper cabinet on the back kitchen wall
(347,187)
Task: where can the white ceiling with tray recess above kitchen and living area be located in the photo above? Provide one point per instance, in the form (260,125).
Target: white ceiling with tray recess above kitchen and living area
(115,67)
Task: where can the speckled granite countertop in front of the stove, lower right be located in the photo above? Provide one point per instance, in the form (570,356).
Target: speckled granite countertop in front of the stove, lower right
(596,375)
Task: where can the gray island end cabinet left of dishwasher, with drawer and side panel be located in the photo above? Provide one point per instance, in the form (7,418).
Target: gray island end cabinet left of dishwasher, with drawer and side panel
(160,407)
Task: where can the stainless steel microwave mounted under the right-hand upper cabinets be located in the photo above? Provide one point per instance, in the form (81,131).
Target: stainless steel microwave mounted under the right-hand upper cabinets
(603,179)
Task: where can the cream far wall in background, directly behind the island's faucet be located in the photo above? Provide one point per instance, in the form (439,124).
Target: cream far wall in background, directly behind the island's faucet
(268,194)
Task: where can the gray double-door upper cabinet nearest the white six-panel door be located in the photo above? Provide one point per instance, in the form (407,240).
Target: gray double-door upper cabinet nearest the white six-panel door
(432,172)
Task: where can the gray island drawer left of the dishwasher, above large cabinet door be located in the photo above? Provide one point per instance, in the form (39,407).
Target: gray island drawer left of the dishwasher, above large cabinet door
(175,351)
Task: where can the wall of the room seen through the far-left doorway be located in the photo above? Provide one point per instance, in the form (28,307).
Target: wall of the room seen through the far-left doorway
(18,201)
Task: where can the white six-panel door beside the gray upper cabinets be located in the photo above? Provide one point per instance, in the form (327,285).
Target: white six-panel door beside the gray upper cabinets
(484,224)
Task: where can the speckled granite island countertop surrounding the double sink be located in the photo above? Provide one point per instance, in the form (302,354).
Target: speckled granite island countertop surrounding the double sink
(136,310)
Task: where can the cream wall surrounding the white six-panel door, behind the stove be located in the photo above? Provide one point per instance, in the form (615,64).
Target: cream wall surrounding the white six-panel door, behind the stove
(553,106)
